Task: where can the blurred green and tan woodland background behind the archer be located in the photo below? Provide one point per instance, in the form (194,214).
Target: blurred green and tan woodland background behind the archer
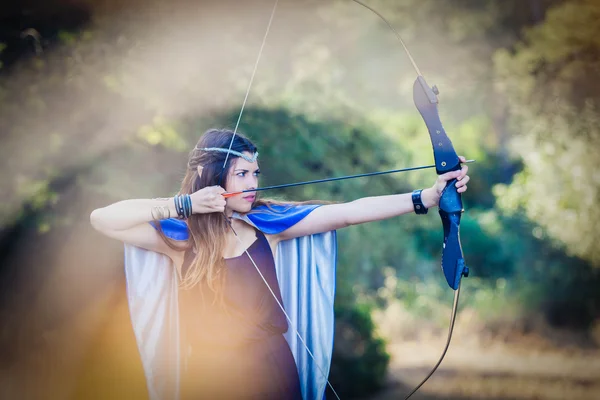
(102,100)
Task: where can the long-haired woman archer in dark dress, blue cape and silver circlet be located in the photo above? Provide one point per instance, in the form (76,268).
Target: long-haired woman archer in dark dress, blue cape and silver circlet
(227,296)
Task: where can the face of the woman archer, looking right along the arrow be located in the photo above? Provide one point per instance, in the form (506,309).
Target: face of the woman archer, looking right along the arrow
(243,175)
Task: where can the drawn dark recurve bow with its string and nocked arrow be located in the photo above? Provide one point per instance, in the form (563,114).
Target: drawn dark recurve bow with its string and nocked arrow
(450,204)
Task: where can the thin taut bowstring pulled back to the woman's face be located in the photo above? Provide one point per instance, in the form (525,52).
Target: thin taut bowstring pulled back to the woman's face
(230,223)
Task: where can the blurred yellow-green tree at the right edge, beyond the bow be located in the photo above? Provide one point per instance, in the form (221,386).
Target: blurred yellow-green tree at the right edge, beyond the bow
(550,81)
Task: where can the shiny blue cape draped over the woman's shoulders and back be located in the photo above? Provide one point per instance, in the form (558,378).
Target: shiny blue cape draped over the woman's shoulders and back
(305,269)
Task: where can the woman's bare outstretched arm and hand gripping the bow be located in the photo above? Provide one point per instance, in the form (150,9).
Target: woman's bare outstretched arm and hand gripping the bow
(336,216)
